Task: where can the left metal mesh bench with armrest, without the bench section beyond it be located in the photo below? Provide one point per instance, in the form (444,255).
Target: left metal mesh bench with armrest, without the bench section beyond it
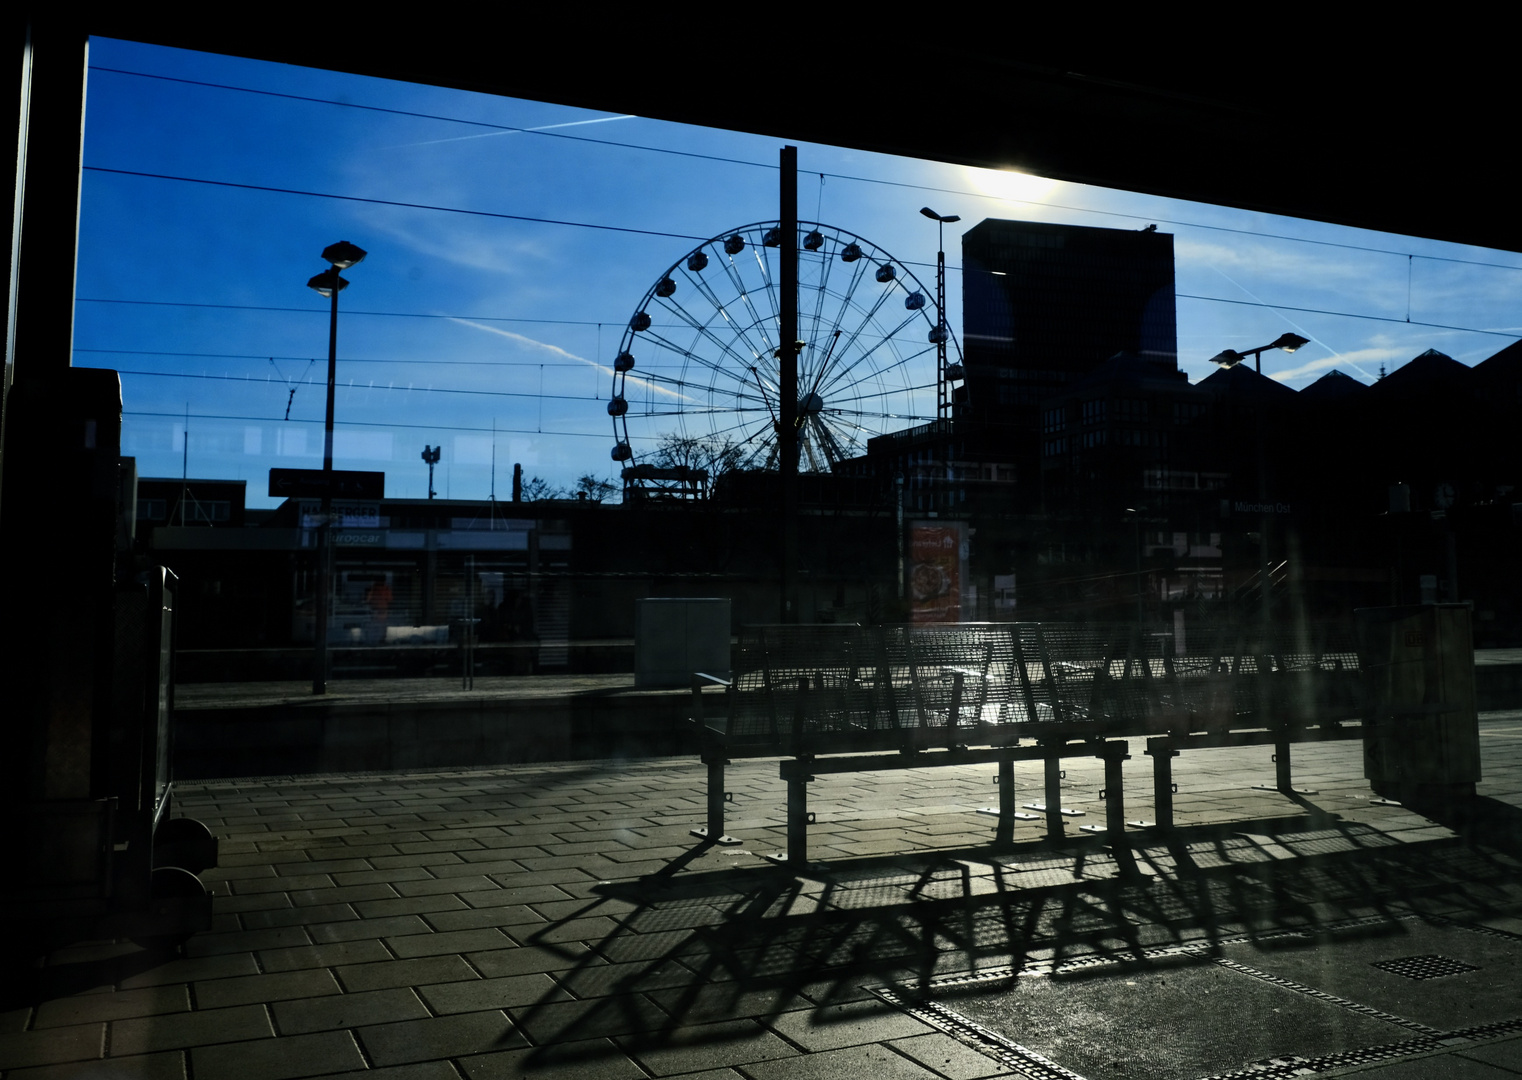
(847,699)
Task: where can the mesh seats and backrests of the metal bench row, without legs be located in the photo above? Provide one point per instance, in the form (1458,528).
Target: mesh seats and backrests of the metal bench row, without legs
(835,687)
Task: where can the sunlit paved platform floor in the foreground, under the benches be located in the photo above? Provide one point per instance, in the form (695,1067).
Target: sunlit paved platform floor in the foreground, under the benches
(558,921)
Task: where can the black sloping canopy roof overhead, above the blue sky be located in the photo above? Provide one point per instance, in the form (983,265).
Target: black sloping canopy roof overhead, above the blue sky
(1392,135)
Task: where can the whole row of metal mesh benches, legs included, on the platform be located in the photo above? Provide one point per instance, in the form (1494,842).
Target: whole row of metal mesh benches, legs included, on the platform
(849,699)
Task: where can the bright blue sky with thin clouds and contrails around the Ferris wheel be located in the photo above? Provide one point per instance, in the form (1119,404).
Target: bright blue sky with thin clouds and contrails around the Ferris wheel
(512,241)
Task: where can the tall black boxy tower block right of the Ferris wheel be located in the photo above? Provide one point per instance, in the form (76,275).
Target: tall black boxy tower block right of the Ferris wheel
(1043,307)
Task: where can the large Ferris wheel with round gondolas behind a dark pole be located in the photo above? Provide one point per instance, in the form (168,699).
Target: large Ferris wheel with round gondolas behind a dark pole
(701,357)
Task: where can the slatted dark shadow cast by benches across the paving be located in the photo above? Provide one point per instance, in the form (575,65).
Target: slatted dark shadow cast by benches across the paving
(695,948)
